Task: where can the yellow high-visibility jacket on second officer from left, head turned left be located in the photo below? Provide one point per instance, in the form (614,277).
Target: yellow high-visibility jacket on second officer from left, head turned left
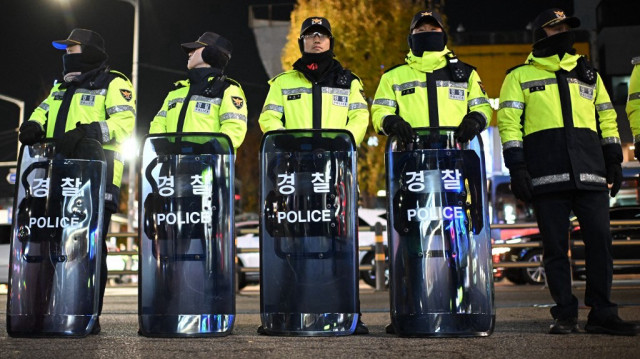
(223,110)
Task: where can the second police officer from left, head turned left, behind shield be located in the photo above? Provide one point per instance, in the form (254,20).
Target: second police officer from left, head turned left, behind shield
(214,102)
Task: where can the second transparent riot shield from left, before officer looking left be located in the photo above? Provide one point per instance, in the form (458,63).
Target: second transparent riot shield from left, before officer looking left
(187,262)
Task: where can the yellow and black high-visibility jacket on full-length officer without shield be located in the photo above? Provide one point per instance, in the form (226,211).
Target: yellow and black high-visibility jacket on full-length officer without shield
(556,118)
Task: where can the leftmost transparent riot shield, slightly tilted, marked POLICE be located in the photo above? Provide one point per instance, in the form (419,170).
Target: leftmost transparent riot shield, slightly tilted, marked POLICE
(55,246)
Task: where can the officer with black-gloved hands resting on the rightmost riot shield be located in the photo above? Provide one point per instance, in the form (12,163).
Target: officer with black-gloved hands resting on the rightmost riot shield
(432,89)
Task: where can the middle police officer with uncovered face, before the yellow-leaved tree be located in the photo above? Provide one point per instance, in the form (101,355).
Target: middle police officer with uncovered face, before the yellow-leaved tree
(317,93)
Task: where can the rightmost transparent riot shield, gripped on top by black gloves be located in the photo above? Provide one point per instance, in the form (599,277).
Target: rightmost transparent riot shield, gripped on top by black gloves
(441,280)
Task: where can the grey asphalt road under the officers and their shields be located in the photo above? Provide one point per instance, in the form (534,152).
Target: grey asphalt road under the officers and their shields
(522,321)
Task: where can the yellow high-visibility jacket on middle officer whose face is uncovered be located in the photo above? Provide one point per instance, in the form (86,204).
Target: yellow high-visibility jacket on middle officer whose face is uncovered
(336,102)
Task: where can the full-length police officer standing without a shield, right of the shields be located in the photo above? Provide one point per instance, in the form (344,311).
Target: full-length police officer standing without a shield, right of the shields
(561,144)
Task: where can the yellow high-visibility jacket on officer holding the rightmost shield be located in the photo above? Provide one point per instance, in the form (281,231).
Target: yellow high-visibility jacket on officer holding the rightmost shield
(435,90)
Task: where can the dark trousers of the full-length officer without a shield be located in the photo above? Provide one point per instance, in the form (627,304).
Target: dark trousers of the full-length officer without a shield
(592,210)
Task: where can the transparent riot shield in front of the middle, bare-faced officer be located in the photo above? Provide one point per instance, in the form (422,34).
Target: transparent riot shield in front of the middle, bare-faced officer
(308,233)
